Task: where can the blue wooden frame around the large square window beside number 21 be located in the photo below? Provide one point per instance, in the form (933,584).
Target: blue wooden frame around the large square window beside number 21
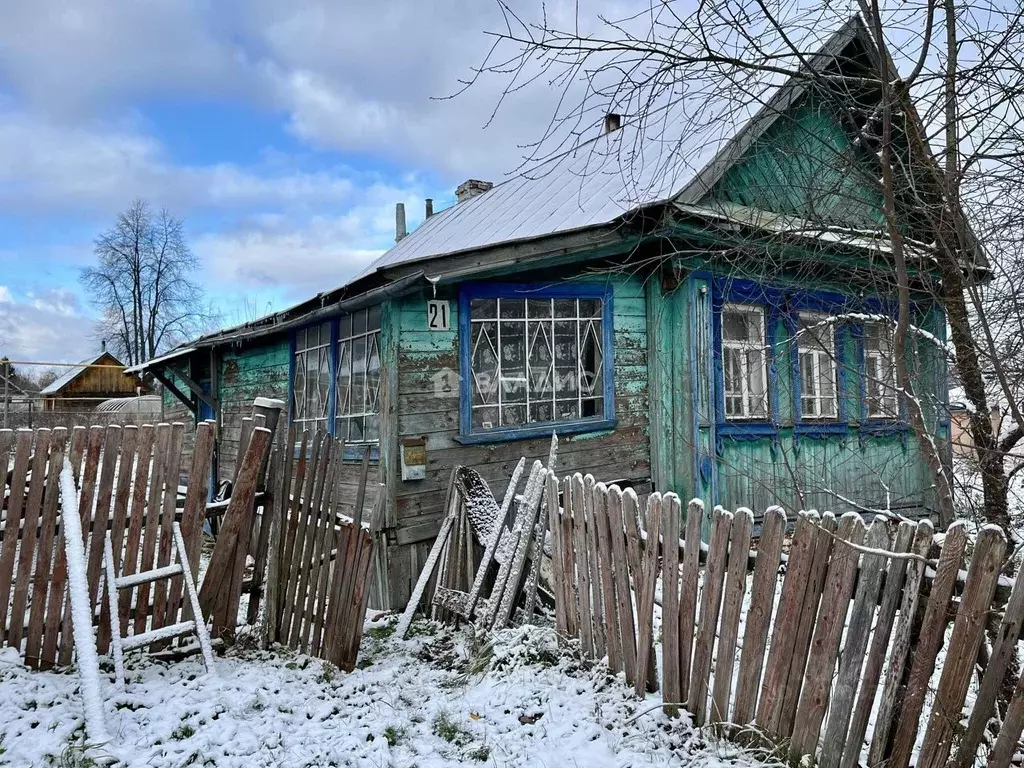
(472,291)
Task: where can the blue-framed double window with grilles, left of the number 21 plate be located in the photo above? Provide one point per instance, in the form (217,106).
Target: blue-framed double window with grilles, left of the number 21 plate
(338,390)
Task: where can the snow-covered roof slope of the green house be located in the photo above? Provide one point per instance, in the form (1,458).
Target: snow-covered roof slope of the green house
(679,152)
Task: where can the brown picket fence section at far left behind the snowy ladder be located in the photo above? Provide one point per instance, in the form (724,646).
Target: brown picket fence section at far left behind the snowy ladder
(129,484)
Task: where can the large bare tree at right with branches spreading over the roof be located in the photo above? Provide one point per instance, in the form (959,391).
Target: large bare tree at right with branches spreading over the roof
(936,104)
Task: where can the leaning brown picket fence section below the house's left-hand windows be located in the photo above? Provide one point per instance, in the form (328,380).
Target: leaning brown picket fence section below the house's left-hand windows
(320,560)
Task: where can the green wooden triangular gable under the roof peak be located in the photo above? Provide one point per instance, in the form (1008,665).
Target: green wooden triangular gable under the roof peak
(806,165)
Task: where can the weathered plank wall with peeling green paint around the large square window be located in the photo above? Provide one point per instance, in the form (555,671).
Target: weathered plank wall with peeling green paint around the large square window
(426,358)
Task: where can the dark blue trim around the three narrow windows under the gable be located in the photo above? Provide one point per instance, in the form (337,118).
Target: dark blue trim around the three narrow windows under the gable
(783,307)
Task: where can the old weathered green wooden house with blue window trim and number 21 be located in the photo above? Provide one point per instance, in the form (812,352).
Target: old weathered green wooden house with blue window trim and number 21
(708,330)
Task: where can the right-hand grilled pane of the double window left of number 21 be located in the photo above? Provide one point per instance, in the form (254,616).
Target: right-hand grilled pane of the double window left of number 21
(357,418)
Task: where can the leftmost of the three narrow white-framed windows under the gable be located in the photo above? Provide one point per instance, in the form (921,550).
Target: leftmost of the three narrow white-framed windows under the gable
(745,363)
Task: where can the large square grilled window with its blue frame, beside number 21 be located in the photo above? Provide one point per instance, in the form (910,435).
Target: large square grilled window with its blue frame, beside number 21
(535,359)
